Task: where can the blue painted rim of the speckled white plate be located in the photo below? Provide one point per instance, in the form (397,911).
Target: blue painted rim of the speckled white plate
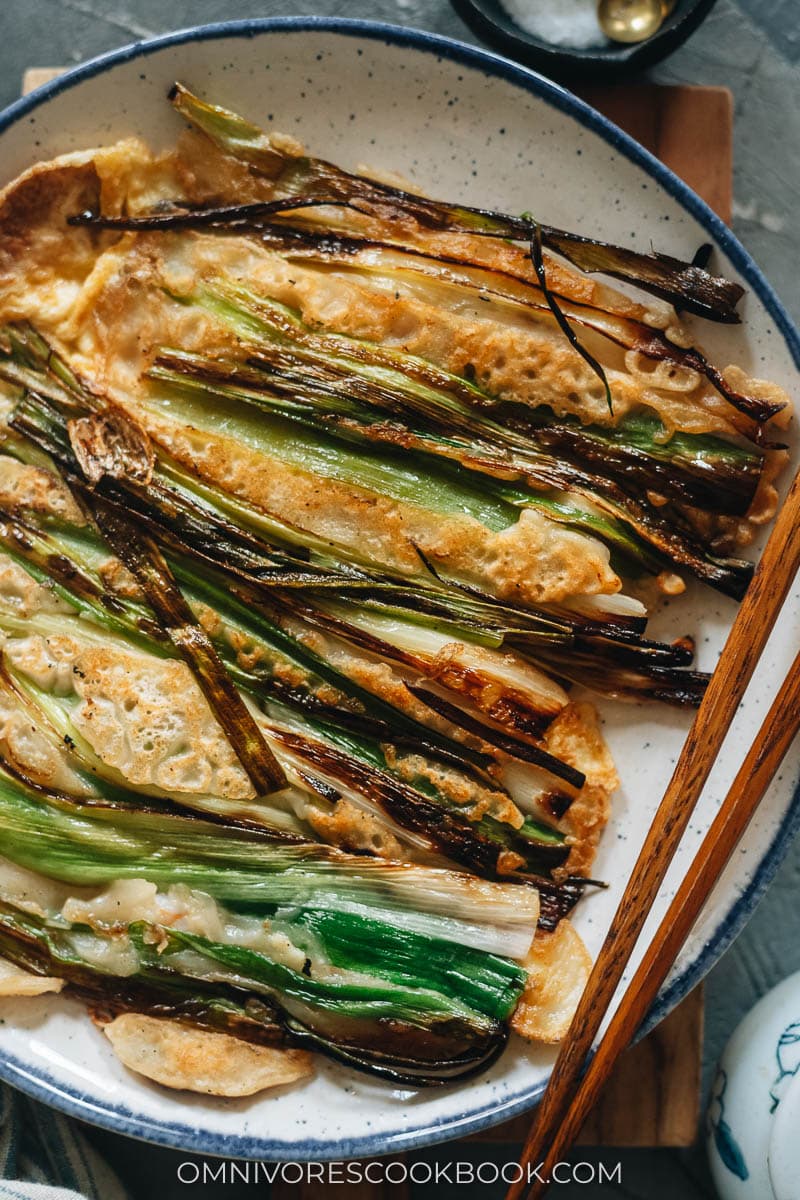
(121,1119)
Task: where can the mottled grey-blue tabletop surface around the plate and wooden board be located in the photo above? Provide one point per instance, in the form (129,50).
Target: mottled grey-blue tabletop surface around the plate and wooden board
(754,49)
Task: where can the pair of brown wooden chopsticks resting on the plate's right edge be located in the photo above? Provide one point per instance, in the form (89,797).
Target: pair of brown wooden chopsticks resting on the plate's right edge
(568,1100)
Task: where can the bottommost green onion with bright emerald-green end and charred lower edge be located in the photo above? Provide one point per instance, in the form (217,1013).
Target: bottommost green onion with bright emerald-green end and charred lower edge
(435,1036)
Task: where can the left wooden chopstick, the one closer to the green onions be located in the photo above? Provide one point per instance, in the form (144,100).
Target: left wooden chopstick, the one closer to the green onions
(779,565)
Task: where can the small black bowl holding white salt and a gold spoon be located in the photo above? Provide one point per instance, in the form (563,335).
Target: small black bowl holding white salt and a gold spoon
(607,64)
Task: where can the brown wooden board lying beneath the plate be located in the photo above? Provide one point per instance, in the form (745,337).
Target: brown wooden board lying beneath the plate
(653,1099)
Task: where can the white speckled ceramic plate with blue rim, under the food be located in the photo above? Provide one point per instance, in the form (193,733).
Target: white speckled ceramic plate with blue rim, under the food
(465,124)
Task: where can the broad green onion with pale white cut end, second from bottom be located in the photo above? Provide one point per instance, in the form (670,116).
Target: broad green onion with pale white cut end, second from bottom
(94,847)
